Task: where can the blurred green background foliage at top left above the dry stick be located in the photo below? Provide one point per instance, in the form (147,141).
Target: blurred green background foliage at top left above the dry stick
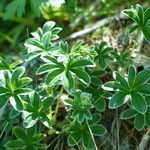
(19,17)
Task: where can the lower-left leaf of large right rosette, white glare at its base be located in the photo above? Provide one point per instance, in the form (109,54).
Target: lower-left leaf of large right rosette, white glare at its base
(118,99)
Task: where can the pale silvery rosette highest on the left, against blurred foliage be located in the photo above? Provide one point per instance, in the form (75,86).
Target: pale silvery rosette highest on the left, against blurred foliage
(41,42)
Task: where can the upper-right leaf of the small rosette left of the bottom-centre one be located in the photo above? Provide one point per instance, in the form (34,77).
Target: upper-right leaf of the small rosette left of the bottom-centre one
(46,103)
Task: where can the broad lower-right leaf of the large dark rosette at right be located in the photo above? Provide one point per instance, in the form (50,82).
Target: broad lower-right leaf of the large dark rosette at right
(138,102)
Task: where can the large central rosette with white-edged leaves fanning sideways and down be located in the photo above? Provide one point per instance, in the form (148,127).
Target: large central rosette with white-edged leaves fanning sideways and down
(65,71)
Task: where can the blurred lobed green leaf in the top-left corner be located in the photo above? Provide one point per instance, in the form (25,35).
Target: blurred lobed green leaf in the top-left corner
(15,8)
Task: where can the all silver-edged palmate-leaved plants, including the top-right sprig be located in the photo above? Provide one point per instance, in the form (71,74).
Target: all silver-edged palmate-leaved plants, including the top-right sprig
(76,72)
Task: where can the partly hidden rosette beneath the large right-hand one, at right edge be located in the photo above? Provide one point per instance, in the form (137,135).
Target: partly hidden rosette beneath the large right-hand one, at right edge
(141,120)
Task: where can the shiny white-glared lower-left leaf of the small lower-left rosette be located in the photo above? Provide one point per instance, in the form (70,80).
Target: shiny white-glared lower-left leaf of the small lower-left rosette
(30,120)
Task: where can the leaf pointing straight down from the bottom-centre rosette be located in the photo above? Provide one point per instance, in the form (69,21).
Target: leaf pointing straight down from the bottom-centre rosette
(87,140)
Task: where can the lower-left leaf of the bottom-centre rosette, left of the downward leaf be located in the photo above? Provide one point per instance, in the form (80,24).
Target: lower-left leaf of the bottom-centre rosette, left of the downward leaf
(74,138)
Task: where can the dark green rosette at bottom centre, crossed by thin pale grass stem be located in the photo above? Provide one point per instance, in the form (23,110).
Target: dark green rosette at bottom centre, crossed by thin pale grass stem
(84,132)
